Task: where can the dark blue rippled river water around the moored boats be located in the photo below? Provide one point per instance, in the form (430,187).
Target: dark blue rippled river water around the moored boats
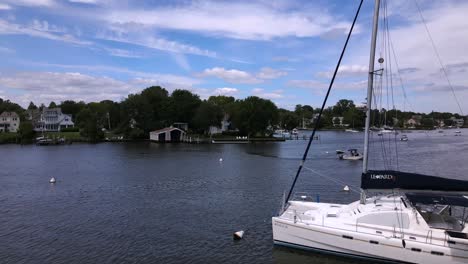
(176,203)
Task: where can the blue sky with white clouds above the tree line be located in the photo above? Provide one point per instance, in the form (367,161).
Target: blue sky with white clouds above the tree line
(282,50)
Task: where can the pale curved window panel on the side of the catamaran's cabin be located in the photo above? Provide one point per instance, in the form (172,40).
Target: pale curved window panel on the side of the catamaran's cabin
(391,219)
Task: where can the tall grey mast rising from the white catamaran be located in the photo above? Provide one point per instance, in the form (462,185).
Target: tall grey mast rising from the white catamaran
(370,82)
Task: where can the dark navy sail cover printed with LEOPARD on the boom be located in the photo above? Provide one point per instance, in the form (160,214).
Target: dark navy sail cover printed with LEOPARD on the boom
(387,179)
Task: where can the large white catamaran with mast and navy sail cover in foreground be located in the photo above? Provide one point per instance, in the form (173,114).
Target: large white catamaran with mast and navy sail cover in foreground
(410,220)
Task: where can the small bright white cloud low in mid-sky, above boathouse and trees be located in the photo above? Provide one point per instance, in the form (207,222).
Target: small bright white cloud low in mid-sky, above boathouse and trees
(231,76)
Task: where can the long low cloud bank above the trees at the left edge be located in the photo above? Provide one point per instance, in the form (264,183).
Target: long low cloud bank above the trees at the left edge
(43,87)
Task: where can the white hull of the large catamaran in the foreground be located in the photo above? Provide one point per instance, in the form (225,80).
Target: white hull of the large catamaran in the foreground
(312,232)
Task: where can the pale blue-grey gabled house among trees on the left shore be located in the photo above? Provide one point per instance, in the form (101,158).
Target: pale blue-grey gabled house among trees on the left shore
(50,119)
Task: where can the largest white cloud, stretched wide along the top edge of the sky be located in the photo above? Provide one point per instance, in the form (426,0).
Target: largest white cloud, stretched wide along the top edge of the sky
(233,19)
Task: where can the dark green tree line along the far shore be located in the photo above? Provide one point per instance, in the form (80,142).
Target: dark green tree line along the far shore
(156,108)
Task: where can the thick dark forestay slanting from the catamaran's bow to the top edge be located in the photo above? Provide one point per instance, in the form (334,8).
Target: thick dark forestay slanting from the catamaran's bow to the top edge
(324,102)
